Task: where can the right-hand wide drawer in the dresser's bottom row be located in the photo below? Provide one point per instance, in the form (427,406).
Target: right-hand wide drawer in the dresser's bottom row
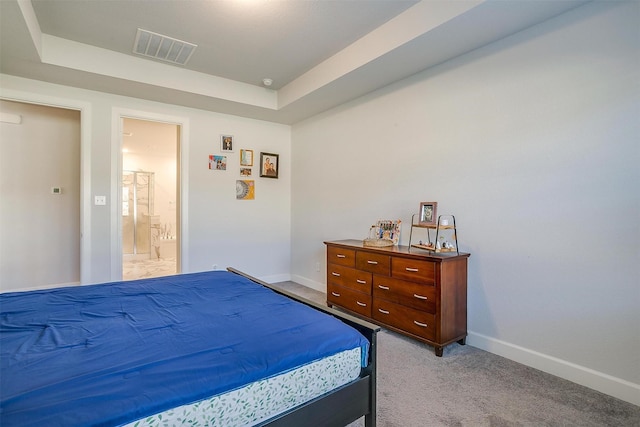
(416,322)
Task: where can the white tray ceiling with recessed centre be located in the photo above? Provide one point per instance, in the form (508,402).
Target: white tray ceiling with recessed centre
(319,53)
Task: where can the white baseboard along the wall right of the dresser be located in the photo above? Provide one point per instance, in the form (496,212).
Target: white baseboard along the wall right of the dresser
(607,384)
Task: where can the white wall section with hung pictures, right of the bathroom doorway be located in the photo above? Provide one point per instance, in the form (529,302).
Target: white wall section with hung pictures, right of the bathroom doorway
(250,235)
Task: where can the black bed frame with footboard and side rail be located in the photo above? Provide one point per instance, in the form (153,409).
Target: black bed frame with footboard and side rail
(345,404)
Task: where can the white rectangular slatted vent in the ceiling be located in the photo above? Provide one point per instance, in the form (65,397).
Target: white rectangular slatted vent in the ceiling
(162,47)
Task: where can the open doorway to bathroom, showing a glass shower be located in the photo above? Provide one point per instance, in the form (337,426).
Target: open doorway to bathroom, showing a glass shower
(150,199)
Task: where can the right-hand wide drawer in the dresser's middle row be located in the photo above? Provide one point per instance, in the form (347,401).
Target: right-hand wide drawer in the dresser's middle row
(416,295)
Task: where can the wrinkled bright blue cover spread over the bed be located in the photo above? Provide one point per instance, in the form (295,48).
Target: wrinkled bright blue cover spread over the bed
(112,353)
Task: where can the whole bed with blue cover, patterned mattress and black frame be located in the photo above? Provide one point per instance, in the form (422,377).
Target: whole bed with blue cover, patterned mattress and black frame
(216,348)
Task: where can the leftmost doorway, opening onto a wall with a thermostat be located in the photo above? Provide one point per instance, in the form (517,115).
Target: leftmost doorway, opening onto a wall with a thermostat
(40,183)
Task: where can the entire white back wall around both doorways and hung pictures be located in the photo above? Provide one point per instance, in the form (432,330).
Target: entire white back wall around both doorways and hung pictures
(251,235)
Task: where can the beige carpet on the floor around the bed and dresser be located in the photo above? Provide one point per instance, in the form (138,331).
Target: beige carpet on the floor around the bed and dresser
(471,387)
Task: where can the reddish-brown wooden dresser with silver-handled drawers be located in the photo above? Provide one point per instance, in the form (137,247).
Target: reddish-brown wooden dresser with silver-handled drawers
(417,293)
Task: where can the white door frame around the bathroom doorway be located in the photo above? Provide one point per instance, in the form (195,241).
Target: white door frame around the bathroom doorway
(118,115)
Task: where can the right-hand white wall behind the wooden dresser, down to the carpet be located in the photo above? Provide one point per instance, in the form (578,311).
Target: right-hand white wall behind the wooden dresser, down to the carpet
(532,142)
